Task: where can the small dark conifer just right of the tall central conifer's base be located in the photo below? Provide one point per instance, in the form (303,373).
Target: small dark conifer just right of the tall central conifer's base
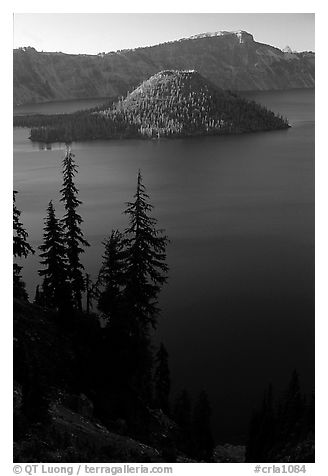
(162,380)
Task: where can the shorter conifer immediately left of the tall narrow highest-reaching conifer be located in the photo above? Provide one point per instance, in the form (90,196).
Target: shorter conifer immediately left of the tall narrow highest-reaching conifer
(55,287)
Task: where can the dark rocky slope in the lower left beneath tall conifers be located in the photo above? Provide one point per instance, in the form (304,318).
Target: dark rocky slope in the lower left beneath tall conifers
(61,414)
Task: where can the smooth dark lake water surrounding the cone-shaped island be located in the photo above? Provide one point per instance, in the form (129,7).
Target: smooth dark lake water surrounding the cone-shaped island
(238,310)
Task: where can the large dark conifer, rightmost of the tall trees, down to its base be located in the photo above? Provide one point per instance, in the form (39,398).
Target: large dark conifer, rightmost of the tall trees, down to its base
(145,274)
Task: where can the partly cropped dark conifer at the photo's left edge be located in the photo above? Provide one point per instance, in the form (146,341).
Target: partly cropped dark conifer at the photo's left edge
(21,249)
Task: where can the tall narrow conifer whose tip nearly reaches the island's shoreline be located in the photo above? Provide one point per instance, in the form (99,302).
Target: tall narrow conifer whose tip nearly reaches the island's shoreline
(73,234)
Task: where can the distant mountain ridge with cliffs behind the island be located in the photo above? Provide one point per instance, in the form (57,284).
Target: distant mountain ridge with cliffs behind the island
(231,60)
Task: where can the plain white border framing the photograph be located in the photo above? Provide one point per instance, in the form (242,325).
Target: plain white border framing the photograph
(61,6)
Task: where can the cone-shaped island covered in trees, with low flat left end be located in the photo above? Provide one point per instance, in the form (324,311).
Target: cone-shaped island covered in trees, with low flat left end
(171,103)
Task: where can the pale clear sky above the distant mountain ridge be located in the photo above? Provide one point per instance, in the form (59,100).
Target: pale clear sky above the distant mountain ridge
(92,33)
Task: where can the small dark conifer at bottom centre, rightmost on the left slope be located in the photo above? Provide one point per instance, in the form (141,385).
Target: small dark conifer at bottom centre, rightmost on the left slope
(201,428)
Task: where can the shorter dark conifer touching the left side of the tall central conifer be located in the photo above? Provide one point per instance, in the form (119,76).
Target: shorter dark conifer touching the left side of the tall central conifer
(111,276)
